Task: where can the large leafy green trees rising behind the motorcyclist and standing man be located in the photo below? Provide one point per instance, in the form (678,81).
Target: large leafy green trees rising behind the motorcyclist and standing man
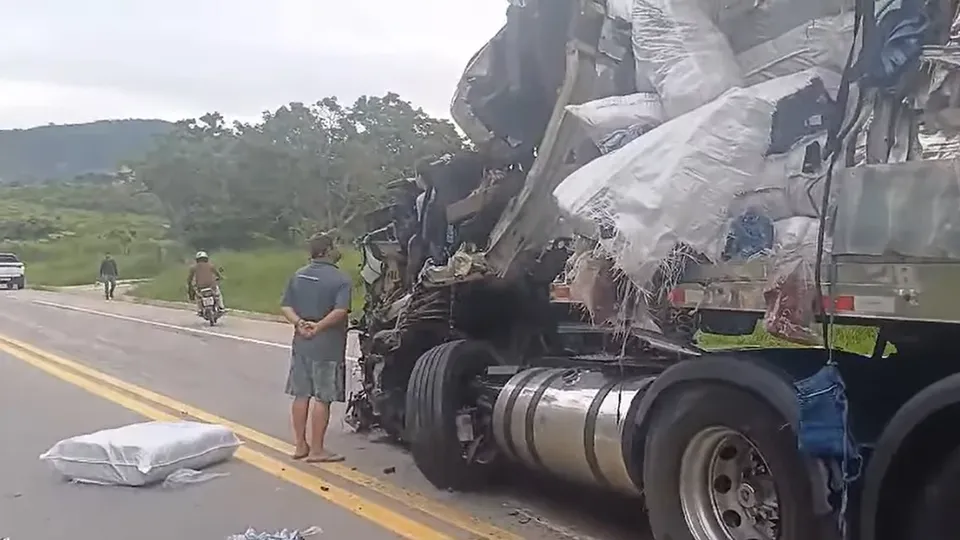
(301,167)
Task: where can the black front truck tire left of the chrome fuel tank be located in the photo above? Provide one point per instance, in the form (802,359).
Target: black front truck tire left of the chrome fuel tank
(437,391)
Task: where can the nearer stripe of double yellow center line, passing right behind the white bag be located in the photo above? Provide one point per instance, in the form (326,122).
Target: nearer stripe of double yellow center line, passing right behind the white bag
(388,519)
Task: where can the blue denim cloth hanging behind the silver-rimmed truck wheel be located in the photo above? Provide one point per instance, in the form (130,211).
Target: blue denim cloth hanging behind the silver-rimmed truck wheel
(825,429)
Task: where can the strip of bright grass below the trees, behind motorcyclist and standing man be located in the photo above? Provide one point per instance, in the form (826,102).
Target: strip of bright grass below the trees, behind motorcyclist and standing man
(252,280)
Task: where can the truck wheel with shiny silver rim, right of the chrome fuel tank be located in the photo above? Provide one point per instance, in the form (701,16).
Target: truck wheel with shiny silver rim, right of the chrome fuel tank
(719,465)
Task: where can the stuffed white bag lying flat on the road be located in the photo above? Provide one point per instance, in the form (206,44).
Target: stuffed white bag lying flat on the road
(141,454)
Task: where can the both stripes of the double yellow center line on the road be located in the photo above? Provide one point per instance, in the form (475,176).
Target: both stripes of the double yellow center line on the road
(136,398)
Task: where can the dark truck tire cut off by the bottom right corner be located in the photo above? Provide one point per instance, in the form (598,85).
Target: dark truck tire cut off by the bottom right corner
(934,515)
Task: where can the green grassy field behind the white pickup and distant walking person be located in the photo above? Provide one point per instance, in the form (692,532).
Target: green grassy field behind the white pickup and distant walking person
(63,246)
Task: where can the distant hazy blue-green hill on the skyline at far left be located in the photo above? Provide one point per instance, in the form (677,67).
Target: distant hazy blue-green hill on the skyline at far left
(62,152)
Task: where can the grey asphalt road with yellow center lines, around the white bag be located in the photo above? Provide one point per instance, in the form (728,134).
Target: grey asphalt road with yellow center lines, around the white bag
(72,363)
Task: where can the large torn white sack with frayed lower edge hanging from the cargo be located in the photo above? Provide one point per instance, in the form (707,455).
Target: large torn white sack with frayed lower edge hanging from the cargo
(676,183)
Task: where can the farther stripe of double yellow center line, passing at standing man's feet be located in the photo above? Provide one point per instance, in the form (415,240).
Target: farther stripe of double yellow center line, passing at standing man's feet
(416,501)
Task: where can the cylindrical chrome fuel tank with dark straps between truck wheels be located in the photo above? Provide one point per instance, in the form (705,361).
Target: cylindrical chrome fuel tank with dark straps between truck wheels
(570,422)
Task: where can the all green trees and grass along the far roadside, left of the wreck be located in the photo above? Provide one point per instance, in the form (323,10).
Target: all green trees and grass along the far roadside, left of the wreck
(249,194)
